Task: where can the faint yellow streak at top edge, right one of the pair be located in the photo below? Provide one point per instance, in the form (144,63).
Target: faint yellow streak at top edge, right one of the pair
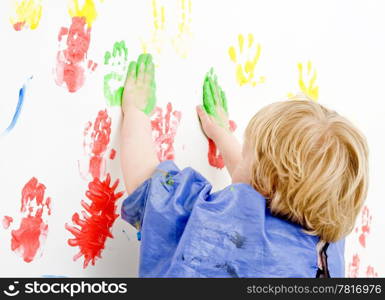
(182,40)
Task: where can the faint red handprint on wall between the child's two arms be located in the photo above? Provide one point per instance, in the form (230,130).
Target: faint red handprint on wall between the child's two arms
(164,130)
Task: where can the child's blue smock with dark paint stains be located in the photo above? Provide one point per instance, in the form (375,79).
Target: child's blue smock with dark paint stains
(188,231)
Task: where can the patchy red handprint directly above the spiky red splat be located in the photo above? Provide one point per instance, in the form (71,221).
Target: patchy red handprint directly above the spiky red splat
(96,142)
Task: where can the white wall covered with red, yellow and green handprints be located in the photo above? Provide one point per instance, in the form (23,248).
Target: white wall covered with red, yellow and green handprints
(343,39)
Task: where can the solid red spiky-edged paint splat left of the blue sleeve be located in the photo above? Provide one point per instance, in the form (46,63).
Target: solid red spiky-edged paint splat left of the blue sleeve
(94,227)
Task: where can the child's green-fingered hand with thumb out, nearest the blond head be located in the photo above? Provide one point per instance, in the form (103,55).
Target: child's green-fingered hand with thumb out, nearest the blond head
(213,115)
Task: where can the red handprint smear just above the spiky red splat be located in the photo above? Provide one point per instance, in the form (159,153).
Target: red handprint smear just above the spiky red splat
(100,138)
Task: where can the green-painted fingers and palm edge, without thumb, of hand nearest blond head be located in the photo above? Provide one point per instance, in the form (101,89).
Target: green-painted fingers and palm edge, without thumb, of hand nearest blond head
(214,99)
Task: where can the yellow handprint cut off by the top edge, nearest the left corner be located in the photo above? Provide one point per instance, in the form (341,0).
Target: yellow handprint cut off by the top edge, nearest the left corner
(27,14)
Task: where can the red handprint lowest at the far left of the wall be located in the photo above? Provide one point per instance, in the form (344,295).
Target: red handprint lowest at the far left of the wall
(27,241)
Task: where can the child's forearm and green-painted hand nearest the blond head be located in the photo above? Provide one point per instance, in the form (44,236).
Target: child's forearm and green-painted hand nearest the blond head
(215,123)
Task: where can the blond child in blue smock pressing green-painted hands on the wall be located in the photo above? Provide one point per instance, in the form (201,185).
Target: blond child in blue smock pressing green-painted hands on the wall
(298,184)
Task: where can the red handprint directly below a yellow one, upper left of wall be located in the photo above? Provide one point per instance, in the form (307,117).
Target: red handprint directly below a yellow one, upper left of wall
(70,61)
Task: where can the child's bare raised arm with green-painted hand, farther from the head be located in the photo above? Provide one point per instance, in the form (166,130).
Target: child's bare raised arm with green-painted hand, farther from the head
(138,154)
